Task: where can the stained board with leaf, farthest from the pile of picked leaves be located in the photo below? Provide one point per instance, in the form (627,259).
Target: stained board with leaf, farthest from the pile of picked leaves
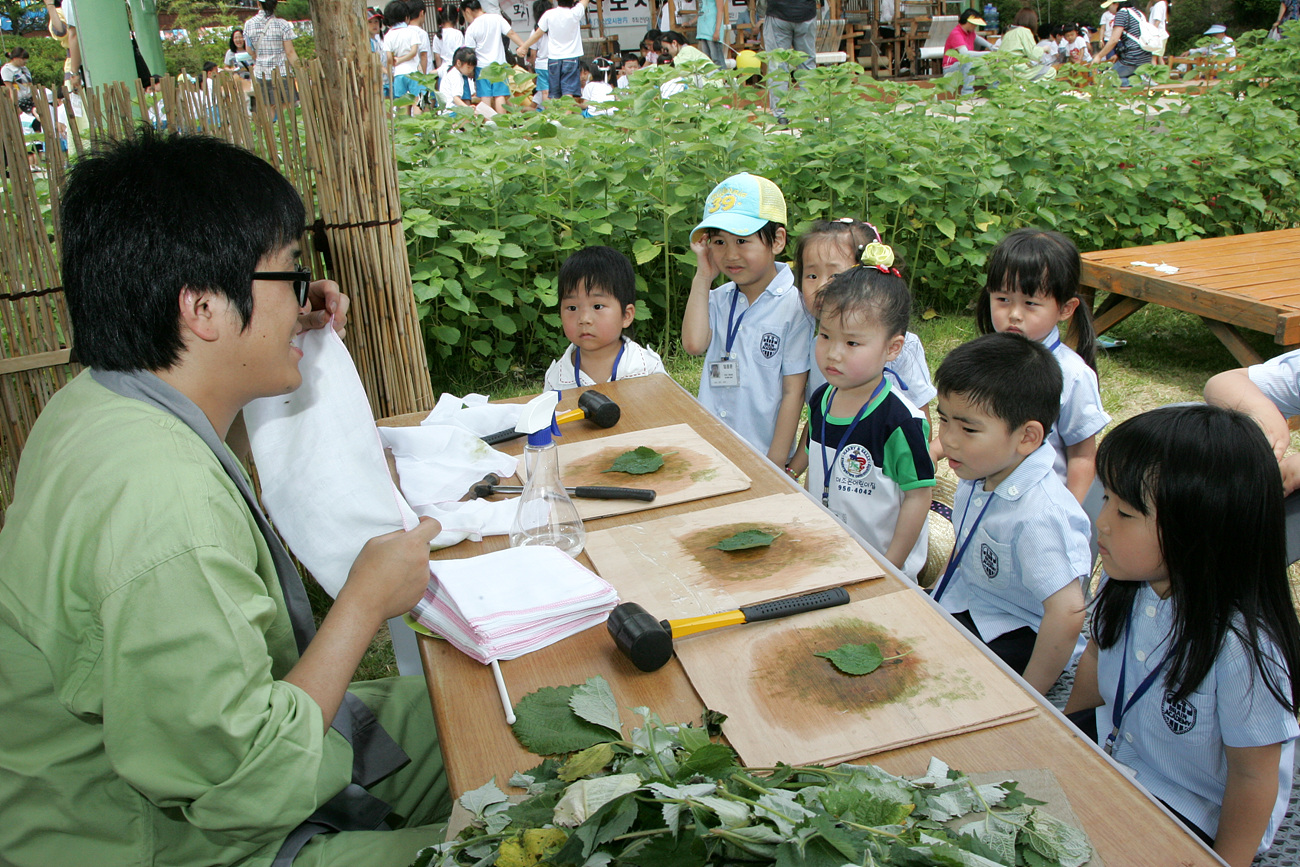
(696,471)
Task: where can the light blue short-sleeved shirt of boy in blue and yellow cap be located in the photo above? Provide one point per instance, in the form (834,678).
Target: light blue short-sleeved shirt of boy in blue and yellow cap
(773,343)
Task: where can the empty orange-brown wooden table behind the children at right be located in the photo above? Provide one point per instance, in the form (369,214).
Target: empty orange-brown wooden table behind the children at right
(1245,281)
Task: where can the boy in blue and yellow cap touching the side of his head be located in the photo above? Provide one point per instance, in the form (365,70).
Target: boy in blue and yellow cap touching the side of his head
(753,331)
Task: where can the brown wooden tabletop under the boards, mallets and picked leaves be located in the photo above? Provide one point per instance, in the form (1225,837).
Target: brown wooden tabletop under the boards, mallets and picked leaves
(1125,826)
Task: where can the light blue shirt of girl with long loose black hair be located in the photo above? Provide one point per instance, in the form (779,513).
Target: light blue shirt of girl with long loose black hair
(1176,749)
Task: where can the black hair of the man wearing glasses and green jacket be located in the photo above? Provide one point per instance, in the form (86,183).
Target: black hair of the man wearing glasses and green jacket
(145,218)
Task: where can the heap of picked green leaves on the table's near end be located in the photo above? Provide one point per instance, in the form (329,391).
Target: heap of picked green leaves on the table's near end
(669,796)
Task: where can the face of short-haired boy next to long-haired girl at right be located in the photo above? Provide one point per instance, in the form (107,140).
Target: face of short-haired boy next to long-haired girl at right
(978,444)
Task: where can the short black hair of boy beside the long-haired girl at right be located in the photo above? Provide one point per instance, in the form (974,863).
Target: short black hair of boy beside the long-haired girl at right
(1008,375)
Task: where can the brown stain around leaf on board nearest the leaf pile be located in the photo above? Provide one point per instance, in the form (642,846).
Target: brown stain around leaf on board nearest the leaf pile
(792,686)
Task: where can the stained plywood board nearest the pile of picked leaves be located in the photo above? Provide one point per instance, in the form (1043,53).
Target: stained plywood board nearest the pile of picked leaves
(787,705)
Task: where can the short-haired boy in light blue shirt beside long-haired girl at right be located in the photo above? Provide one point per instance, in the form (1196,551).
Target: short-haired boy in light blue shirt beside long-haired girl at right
(1016,576)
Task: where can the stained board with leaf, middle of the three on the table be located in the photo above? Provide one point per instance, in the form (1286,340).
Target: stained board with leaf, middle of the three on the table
(669,567)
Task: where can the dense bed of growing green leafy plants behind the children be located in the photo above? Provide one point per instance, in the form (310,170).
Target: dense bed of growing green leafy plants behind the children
(491,213)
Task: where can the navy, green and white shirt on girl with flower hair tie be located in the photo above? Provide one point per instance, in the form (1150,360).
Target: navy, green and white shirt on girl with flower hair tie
(883,458)
